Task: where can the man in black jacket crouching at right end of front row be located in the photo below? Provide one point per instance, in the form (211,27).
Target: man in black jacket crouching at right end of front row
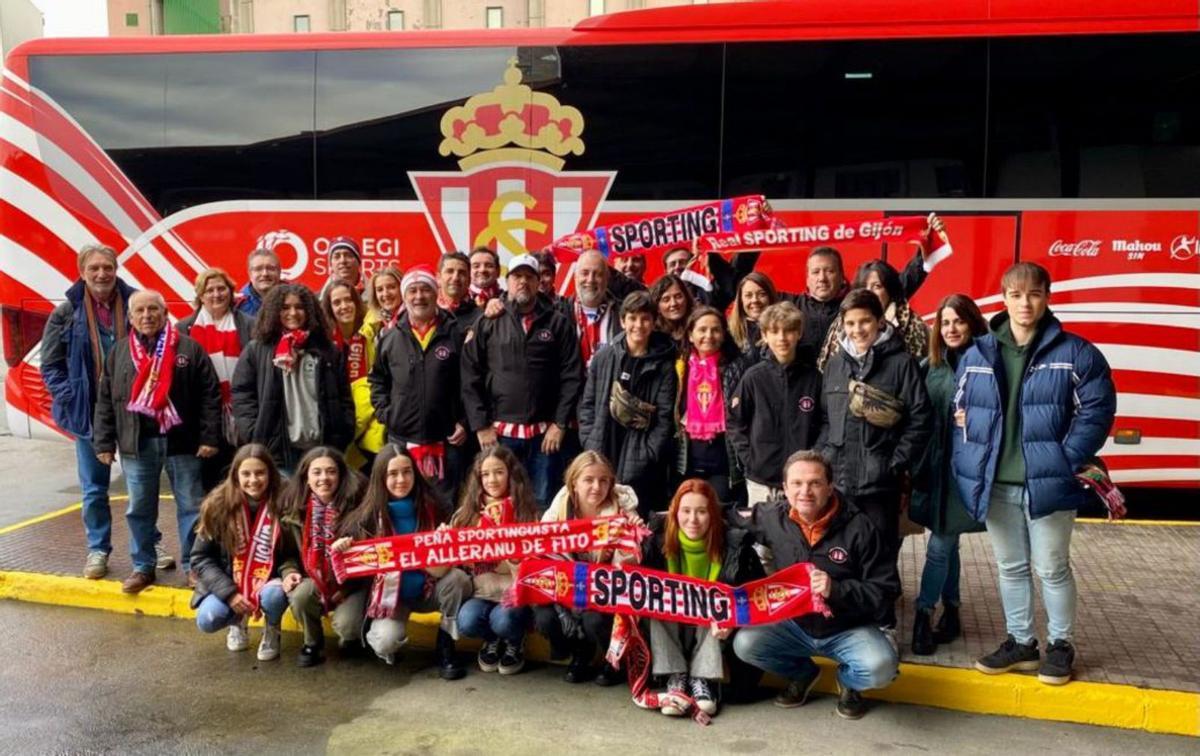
(856,575)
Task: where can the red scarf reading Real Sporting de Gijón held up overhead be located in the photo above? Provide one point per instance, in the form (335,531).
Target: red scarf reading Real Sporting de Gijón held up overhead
(779,238)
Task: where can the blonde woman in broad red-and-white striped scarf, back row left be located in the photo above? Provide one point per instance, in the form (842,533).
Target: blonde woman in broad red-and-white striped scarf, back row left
(223,332)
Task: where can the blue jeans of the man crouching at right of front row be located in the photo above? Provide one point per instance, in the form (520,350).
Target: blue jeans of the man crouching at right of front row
(866,659)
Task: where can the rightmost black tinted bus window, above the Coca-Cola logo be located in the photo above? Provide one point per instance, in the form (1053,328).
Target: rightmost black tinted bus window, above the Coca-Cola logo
(1096,117)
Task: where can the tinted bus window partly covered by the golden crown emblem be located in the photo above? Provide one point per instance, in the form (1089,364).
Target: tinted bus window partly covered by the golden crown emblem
(380,115)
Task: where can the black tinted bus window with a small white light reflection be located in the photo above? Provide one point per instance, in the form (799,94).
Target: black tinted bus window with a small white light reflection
(855,119)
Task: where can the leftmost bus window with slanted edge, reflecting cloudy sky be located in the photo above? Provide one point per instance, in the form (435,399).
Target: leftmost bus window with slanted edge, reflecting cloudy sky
(195,129)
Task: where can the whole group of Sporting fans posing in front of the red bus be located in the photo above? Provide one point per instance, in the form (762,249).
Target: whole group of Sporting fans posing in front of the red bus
(751,429)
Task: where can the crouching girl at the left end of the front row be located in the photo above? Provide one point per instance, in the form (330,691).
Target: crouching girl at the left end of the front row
(241,554)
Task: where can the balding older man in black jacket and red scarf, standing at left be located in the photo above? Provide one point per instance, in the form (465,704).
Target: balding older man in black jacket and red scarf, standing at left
(160,406)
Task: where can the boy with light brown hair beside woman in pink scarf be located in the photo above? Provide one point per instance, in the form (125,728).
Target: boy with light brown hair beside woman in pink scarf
(777,406)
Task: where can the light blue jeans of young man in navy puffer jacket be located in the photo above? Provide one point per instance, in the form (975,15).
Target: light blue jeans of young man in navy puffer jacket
(1017,542)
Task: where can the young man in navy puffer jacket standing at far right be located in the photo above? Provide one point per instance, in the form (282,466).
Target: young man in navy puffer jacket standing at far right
(1035,405)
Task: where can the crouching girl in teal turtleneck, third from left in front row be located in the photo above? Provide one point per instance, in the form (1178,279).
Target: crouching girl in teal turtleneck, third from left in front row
(399,501)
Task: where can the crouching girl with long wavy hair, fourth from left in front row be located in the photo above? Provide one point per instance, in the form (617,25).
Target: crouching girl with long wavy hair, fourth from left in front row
(499,493)
